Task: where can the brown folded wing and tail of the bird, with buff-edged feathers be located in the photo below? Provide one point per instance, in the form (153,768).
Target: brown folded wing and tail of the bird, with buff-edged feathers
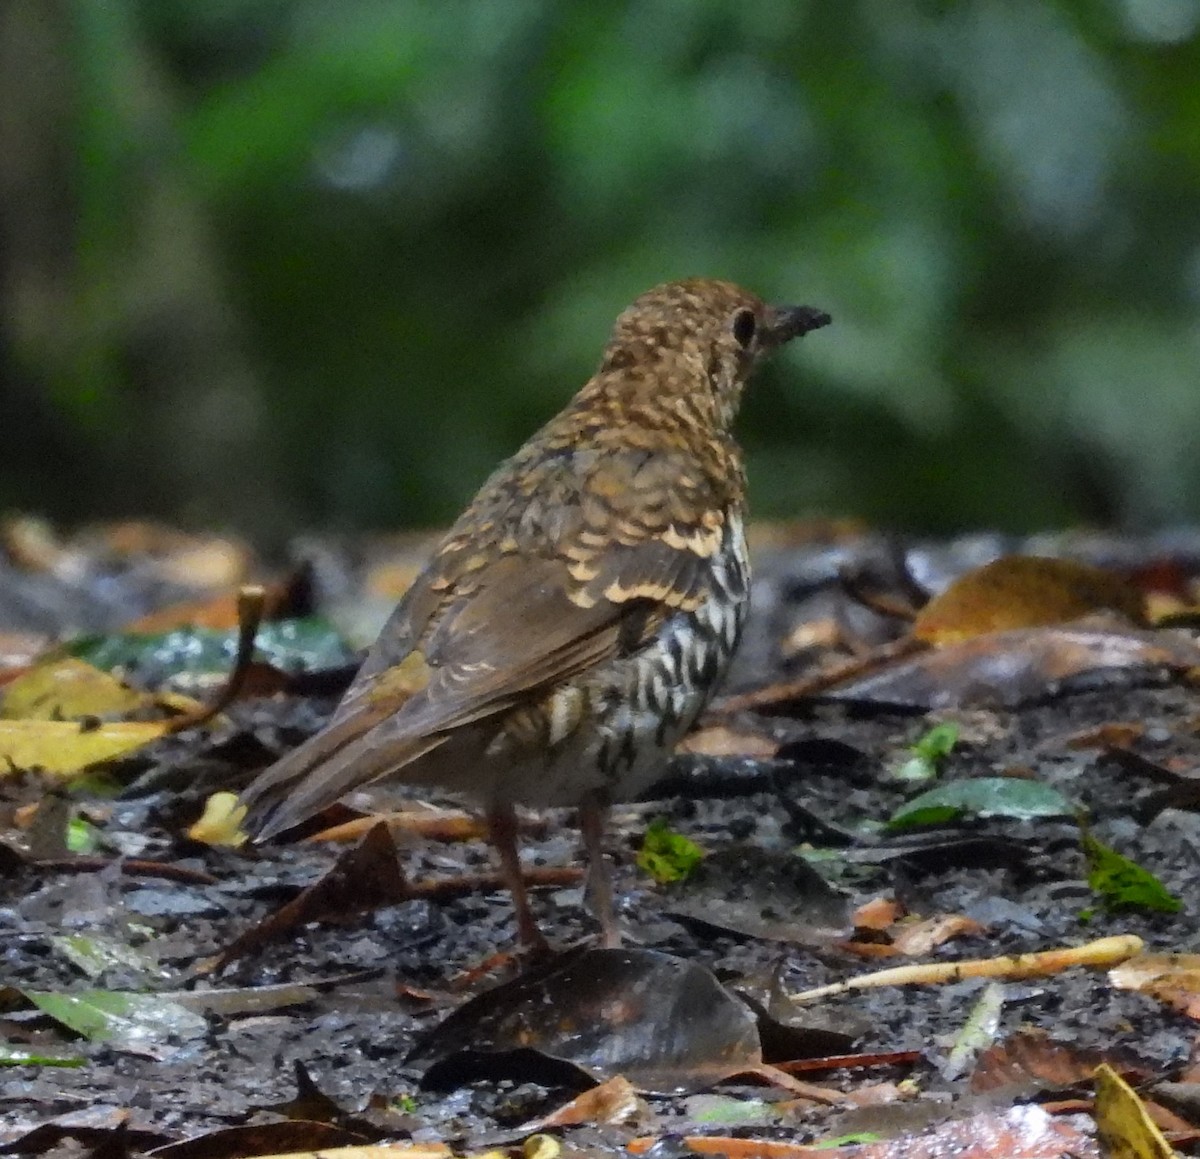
(484,639)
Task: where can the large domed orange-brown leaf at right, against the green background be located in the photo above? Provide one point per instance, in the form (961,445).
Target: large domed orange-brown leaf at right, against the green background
(1024,592)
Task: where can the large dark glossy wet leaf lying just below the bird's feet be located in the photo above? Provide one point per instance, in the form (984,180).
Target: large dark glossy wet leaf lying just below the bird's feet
(664,1024)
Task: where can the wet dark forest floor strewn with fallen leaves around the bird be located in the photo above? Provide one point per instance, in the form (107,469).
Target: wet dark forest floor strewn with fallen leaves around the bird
(155,996)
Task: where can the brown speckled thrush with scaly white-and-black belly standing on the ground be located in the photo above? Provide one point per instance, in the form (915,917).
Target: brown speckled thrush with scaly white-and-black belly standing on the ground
(575,621)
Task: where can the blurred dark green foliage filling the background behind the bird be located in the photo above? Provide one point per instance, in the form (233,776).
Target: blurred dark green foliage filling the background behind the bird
(284,263)
